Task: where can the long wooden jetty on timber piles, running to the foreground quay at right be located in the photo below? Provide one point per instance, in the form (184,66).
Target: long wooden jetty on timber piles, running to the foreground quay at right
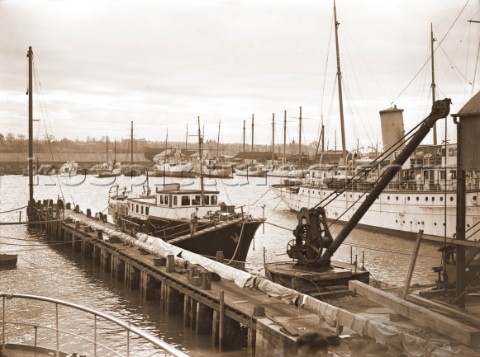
(256,319)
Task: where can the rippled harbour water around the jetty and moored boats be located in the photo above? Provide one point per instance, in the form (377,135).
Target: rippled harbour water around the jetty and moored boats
(46,270)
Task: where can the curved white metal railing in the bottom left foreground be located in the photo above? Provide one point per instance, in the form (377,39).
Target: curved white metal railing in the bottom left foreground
(156,344)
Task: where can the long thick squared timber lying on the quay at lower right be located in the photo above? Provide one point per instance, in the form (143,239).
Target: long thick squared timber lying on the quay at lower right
(445,325)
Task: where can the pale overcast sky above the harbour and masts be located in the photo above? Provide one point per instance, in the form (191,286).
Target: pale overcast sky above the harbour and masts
(101,64)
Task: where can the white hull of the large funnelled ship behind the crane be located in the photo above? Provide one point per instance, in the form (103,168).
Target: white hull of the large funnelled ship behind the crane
(395,211)
